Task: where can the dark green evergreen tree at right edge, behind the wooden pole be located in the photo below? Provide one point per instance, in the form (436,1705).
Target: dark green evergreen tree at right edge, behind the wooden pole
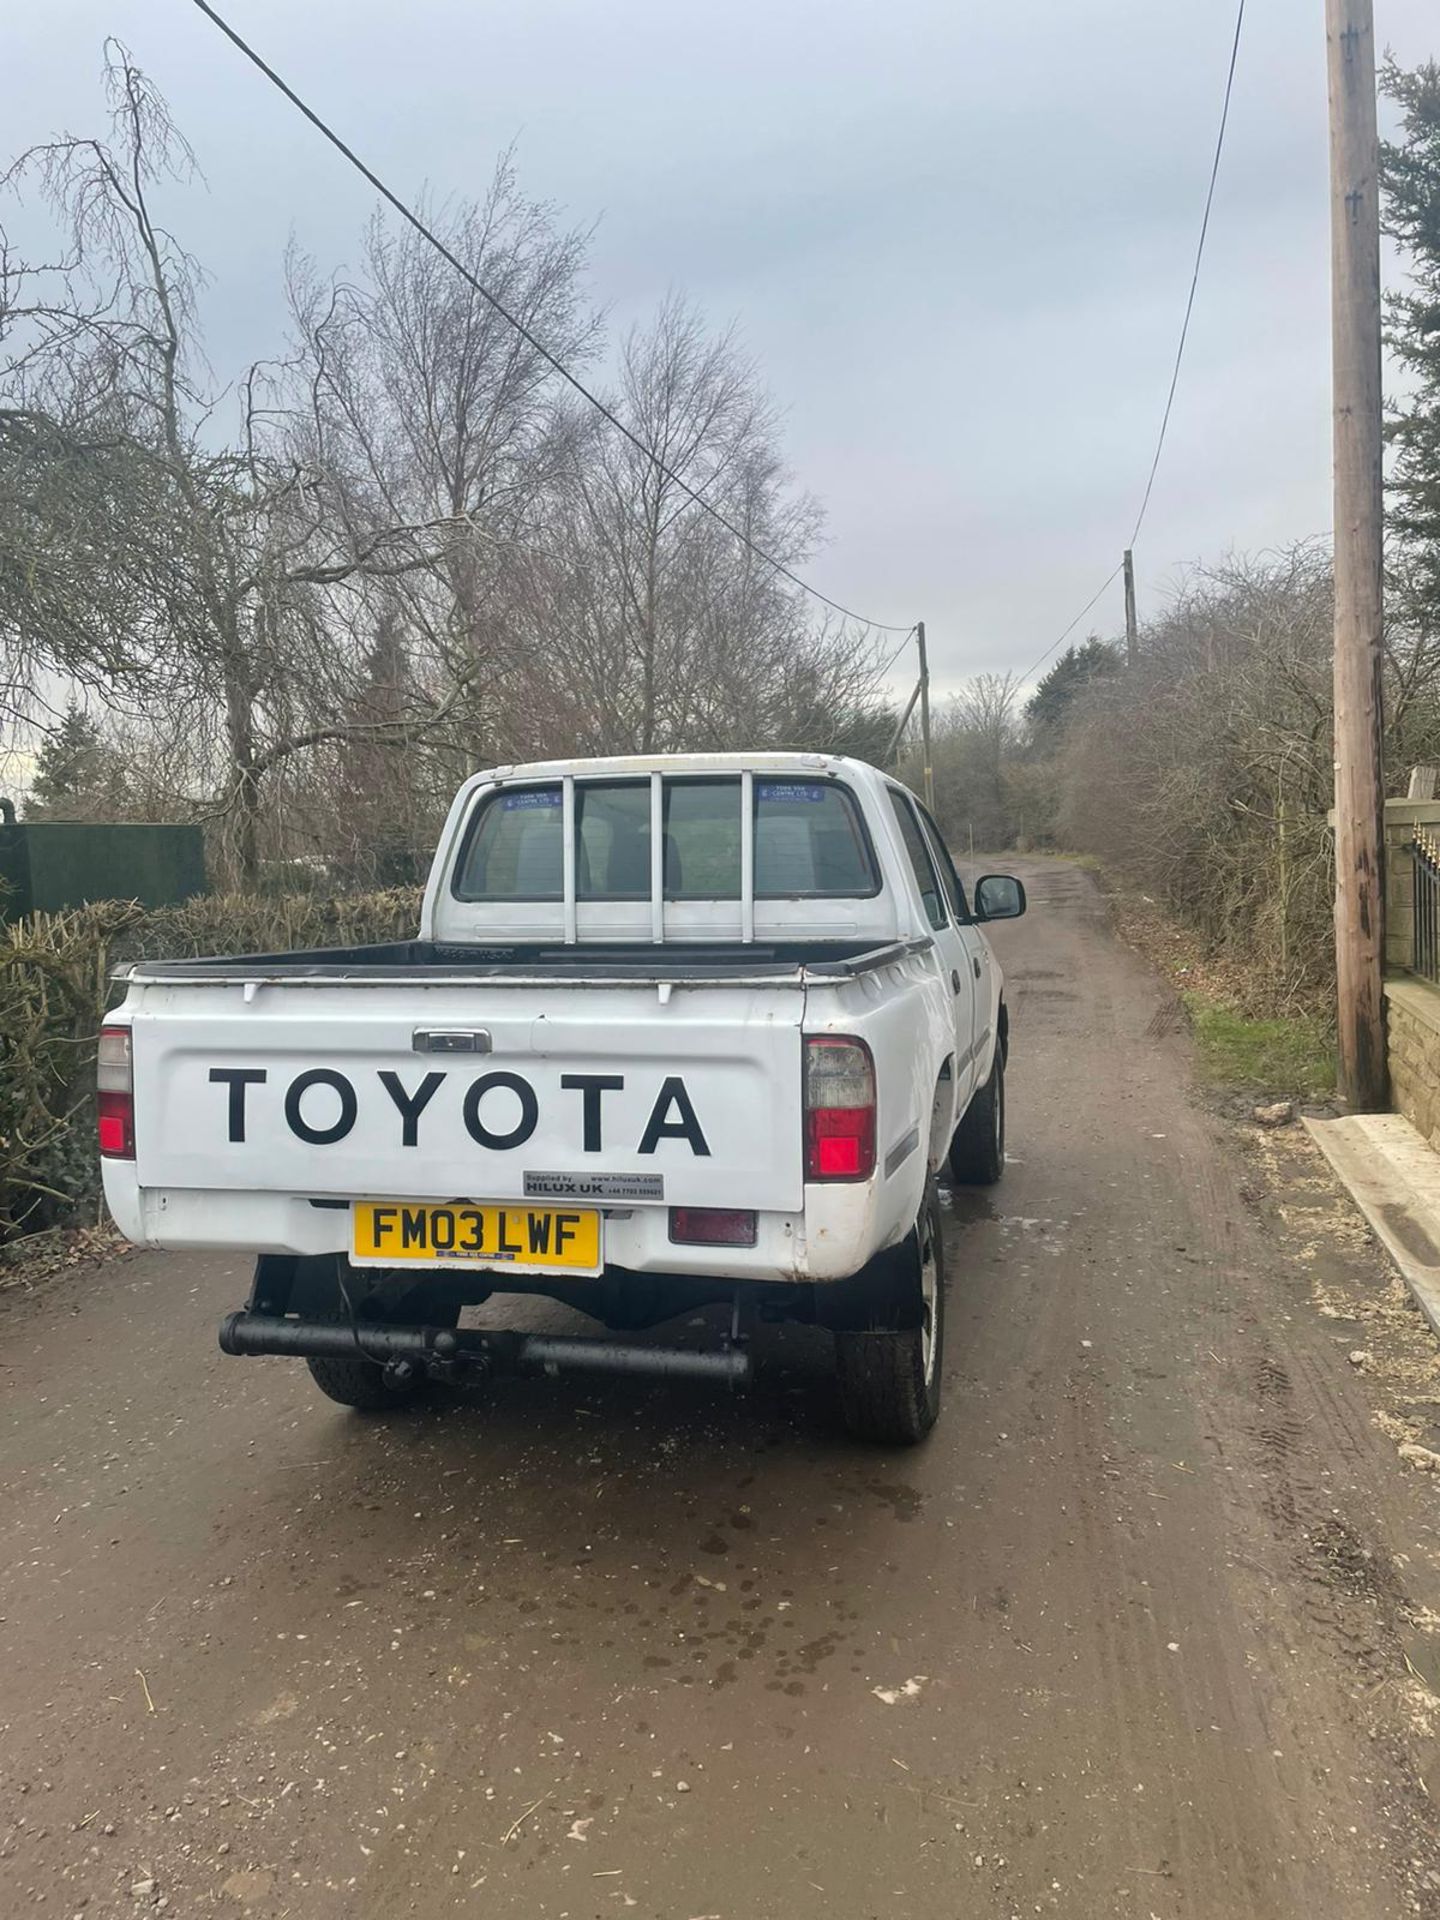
(1410,180)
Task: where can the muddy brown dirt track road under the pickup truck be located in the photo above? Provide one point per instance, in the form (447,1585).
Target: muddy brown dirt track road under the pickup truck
(1143,1631)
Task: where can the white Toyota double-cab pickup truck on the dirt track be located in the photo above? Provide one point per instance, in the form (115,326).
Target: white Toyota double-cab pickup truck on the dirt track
(675,1032)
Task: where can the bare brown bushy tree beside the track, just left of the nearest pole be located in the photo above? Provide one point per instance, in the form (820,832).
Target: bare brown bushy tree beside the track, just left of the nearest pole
(1205,773)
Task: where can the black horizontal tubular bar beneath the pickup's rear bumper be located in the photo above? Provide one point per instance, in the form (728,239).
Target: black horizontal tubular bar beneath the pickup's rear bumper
(441,1351)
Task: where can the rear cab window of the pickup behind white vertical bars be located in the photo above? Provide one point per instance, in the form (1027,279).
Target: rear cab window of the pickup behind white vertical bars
(809,842)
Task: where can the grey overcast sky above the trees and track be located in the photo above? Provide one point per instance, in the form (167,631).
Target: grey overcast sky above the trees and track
(957,239)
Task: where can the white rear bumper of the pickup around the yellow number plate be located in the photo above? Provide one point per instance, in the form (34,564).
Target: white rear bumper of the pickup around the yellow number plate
(838,1232)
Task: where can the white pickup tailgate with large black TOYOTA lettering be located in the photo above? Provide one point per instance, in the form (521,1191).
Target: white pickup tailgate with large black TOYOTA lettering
(479,1093)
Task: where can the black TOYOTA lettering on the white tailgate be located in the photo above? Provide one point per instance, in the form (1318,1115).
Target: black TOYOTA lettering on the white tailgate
(500,1109)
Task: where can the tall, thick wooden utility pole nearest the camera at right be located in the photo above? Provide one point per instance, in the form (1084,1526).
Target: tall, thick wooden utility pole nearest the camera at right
(1358,556)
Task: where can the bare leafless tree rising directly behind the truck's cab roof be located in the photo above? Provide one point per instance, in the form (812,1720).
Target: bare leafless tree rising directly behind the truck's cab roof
(673,631)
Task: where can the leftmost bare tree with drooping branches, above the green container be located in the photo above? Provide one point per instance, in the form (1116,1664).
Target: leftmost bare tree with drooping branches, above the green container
(208,585)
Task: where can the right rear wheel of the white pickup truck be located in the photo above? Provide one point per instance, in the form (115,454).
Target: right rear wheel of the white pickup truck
(892,1381)
